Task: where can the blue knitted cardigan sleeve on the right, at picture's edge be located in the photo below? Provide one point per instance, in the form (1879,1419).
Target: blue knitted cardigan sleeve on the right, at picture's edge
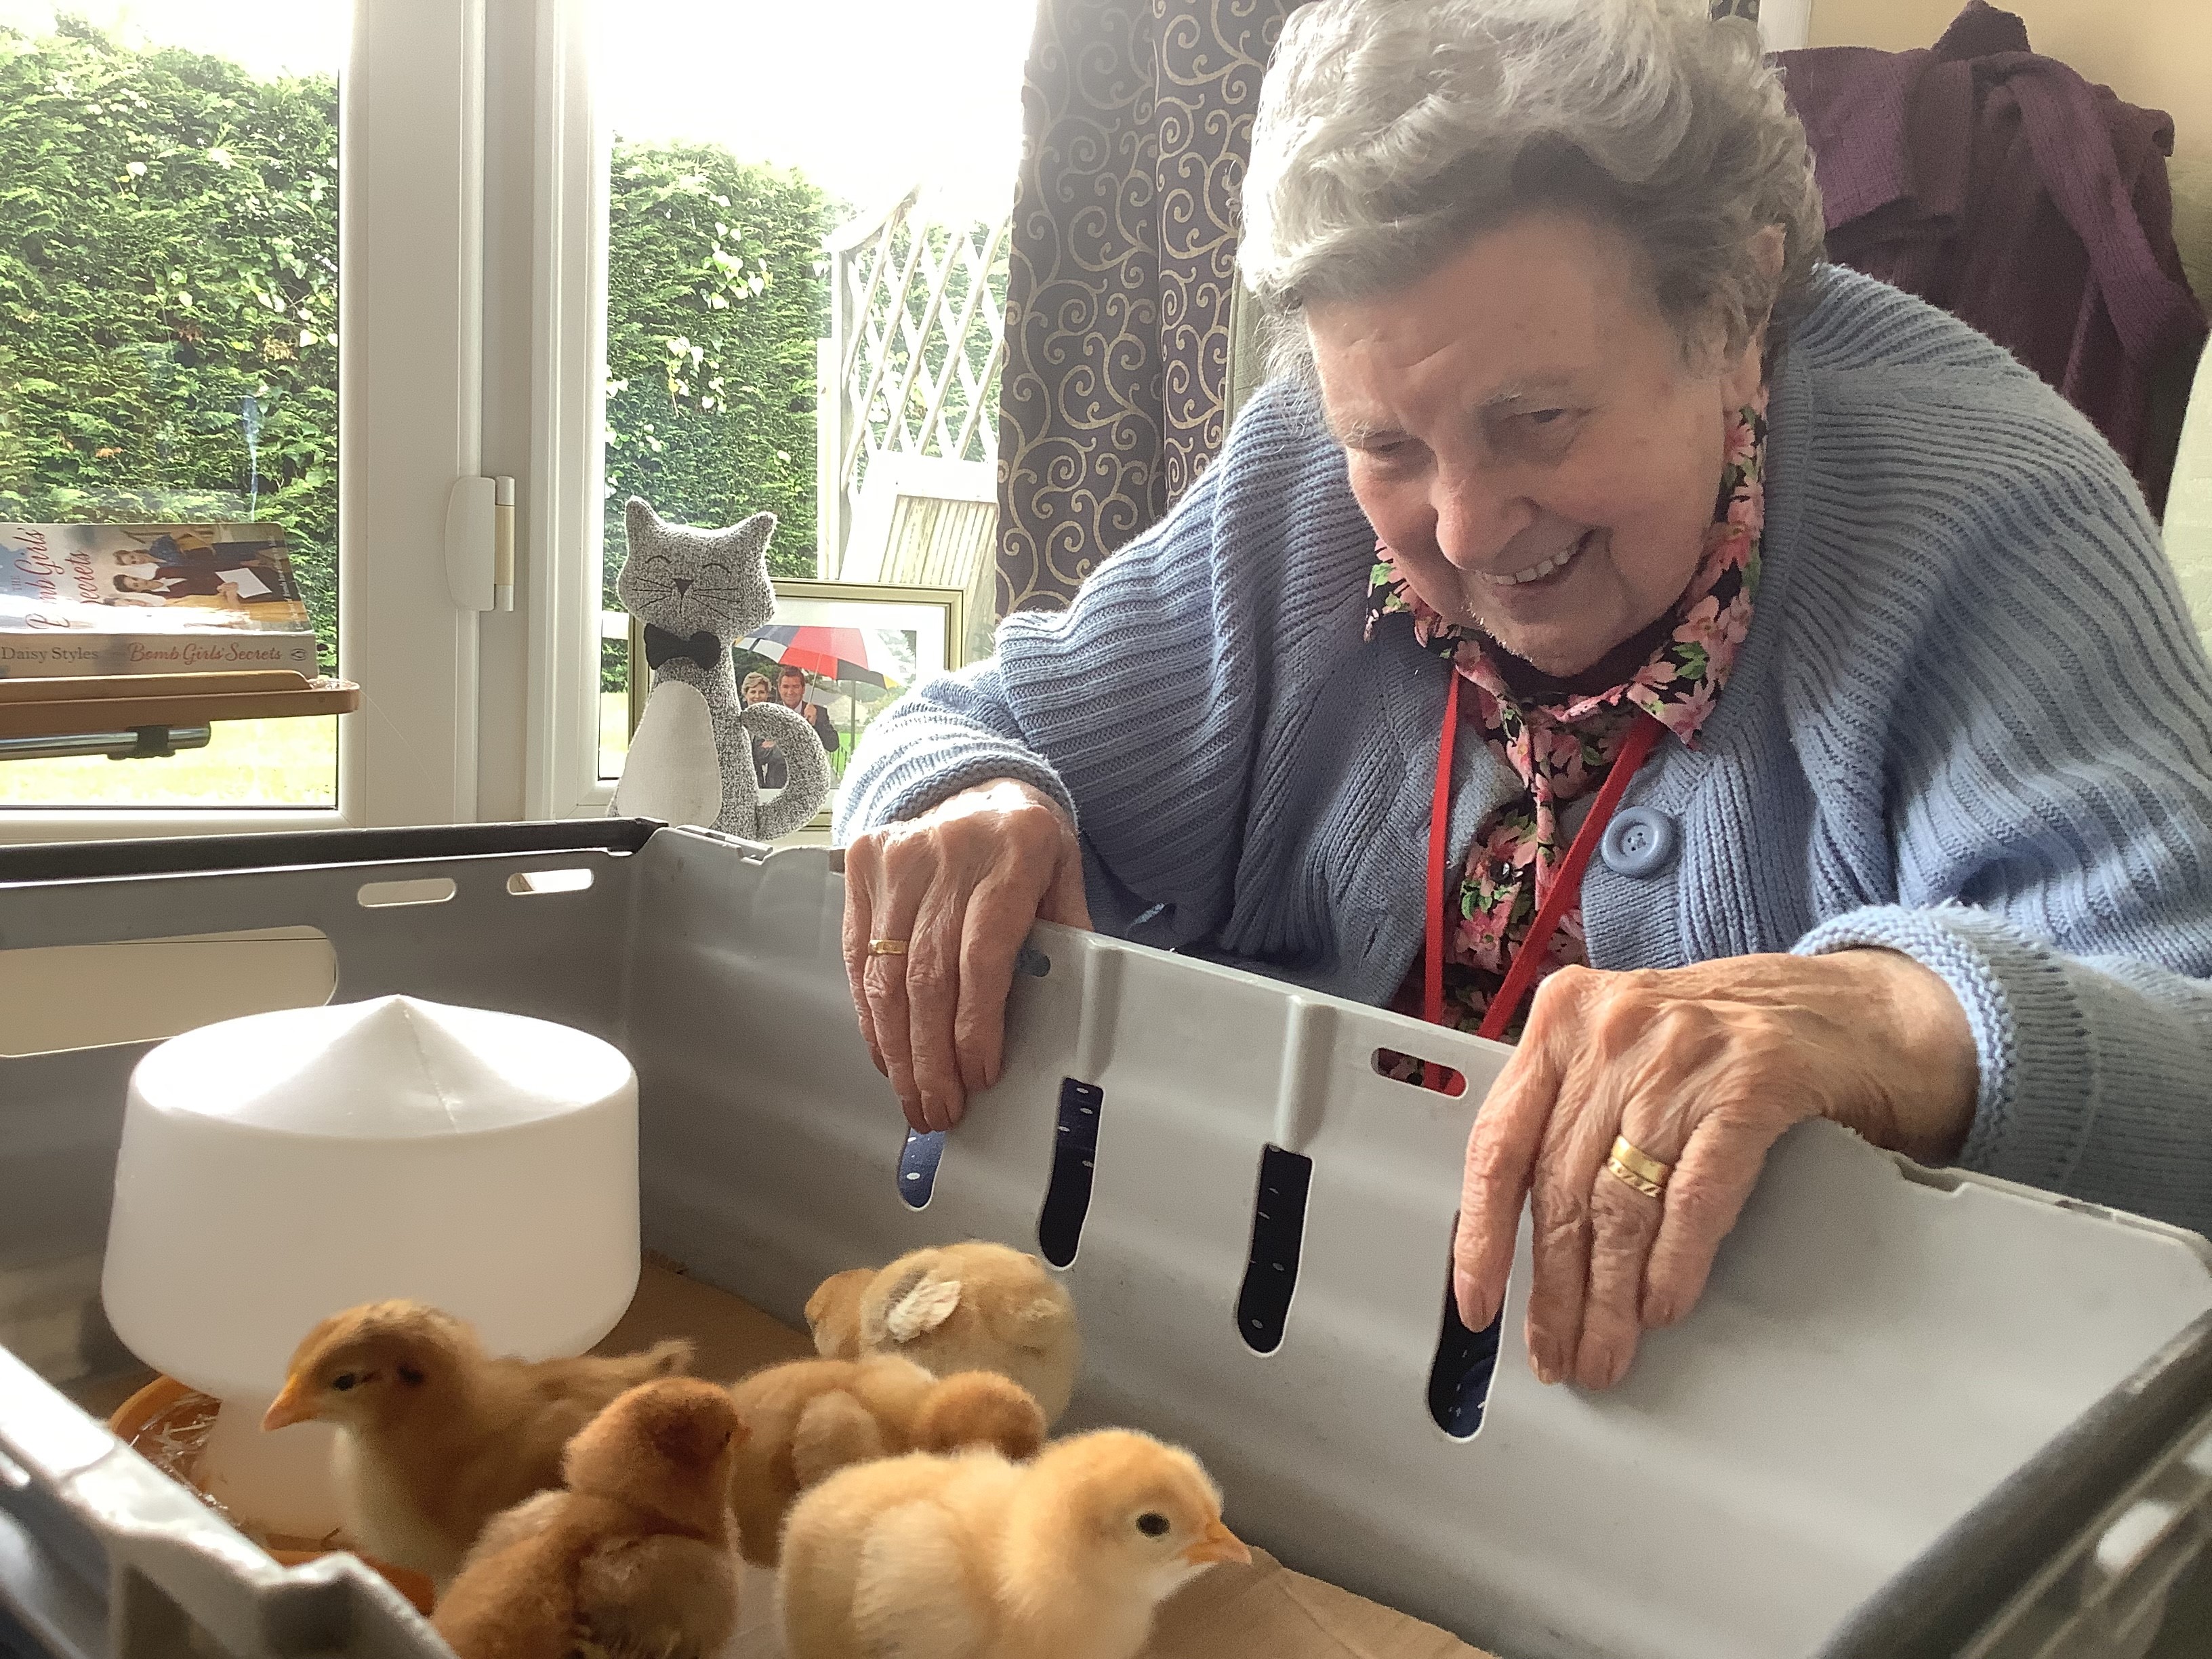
(2052,822)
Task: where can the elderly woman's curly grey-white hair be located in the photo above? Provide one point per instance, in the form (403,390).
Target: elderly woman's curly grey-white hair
(1390,132)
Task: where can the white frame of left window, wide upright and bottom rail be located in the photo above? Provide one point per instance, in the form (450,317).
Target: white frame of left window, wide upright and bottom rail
(410,415)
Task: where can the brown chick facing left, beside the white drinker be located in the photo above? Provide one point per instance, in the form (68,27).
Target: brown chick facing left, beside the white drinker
(435,1434)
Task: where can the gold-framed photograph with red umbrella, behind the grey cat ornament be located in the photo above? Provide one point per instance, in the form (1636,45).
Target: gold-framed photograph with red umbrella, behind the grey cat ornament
(839,654)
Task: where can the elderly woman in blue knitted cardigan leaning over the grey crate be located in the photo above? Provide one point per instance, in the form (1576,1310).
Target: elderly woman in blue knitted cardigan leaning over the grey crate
(1592,499)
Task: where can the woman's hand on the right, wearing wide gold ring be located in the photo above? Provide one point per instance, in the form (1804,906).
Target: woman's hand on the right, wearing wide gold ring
(1700,1067)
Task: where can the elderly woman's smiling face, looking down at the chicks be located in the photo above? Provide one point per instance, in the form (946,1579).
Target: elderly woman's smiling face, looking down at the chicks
(1530,439)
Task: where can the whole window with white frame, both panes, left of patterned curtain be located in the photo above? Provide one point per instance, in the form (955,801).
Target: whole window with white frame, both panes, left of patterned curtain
(596,249)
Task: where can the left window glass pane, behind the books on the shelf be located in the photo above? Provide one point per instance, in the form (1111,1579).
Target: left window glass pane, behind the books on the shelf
(169,309)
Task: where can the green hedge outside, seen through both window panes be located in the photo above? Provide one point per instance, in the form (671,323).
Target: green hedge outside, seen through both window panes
(169,231)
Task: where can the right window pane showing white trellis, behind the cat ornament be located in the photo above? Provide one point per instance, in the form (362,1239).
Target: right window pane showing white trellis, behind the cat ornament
(724,222)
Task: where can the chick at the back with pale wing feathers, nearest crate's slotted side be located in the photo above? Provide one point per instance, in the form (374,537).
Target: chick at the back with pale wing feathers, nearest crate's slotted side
(959,1308)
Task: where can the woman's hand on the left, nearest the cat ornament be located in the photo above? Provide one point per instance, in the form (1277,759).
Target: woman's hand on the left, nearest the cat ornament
(961,886)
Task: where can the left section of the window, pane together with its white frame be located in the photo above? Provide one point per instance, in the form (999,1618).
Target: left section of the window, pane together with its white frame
(198,289)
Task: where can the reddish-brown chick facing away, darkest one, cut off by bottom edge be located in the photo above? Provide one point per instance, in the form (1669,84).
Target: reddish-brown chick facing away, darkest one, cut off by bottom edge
(634,1558)
